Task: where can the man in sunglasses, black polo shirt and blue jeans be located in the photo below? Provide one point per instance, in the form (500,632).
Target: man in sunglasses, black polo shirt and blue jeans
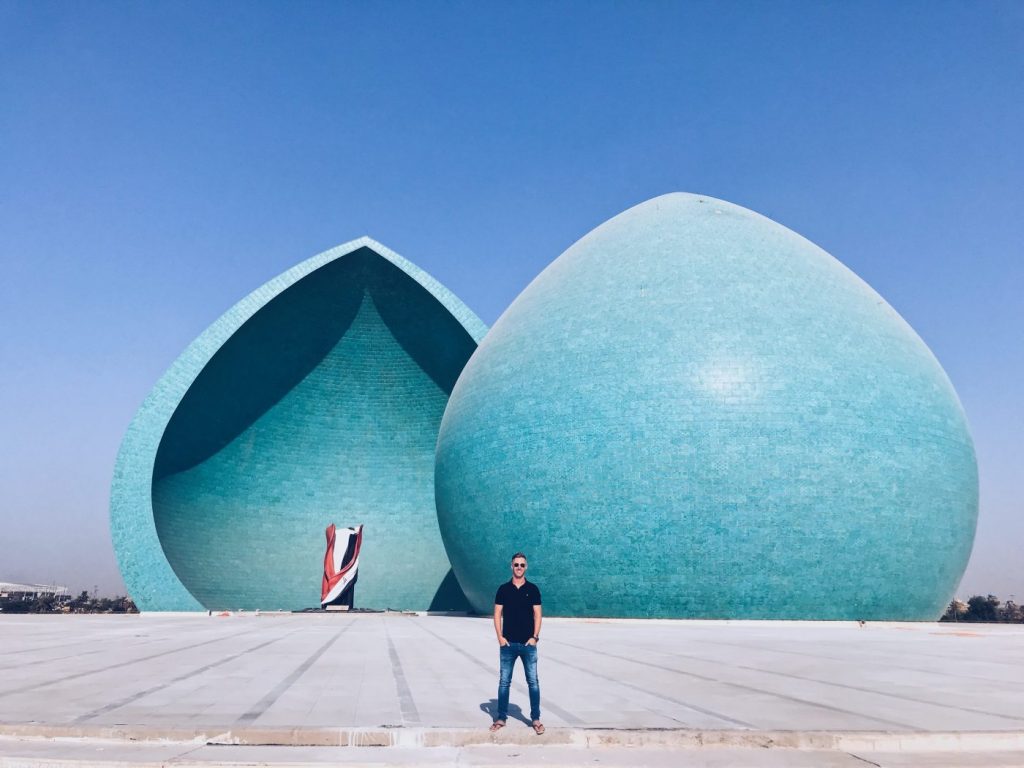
(518,624)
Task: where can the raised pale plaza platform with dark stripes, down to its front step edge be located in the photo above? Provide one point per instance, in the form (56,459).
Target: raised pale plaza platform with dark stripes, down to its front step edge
(424,671)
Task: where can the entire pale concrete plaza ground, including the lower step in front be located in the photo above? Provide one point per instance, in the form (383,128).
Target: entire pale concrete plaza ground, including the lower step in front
(316,681)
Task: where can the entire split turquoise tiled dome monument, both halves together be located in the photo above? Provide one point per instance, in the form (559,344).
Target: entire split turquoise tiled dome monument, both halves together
(692,413)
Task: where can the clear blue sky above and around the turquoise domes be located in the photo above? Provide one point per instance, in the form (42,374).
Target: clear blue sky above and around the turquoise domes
(159,161)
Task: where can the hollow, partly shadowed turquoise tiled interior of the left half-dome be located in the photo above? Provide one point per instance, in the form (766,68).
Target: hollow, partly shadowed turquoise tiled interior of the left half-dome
(322,408)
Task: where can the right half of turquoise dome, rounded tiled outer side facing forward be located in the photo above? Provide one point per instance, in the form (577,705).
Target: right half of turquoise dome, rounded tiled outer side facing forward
(696,412)
